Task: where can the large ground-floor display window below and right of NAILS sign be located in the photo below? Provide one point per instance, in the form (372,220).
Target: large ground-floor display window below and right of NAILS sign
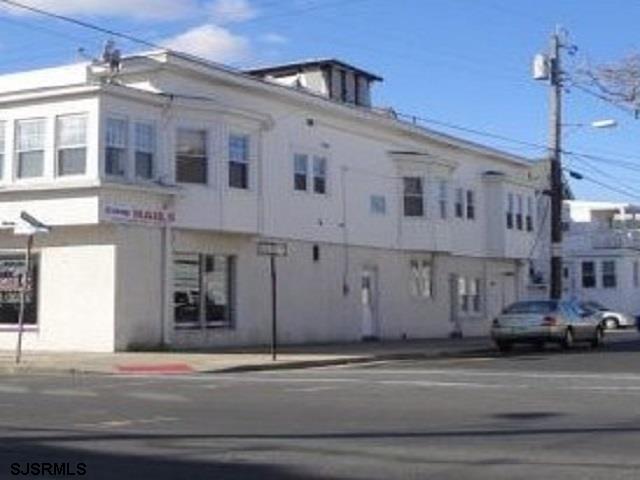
(203,290)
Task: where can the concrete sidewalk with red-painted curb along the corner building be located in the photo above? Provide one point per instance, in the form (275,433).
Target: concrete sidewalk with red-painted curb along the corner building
(238,360)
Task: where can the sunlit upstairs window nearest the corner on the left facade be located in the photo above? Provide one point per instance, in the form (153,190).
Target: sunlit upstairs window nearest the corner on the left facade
(71,144)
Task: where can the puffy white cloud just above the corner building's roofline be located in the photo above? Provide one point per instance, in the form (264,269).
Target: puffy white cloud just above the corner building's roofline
(211,42)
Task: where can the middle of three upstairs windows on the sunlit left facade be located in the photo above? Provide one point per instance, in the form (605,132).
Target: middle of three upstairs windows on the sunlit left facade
(30,140)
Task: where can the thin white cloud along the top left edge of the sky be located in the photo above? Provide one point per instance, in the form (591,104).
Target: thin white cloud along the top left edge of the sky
(141,9)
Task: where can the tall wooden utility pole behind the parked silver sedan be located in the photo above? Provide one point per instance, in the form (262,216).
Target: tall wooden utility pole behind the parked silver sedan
(555,161)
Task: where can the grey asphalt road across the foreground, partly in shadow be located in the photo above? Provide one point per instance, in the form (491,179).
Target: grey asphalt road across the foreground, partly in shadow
(533,415)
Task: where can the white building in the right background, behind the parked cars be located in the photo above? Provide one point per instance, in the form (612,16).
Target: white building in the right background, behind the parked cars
(602,253)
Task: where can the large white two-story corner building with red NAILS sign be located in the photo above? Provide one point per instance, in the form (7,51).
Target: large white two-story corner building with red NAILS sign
(159,179)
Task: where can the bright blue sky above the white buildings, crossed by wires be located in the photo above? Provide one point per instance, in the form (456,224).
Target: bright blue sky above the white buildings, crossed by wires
(465,62)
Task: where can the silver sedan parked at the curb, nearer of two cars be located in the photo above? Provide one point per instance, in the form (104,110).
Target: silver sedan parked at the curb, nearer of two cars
(541,321)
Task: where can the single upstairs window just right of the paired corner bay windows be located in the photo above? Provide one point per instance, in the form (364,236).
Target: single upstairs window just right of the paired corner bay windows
(191,156)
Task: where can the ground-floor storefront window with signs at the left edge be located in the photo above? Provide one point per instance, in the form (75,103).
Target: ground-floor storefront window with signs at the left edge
(12,272)
